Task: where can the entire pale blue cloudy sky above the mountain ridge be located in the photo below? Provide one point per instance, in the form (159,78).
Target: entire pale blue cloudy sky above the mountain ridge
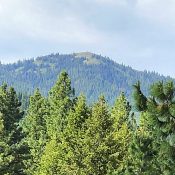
(138,33)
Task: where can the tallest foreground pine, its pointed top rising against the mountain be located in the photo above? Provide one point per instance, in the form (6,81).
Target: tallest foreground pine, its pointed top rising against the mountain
(61,101)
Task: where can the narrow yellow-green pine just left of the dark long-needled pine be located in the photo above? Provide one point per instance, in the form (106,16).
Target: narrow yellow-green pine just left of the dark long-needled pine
(122,133)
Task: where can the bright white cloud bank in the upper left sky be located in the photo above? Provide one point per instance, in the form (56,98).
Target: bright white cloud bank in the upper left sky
(27,19)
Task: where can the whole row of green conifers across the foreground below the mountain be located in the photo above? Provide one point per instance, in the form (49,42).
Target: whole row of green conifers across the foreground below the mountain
(61,134)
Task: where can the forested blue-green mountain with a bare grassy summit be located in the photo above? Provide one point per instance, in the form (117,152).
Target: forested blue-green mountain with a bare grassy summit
(91,75)
